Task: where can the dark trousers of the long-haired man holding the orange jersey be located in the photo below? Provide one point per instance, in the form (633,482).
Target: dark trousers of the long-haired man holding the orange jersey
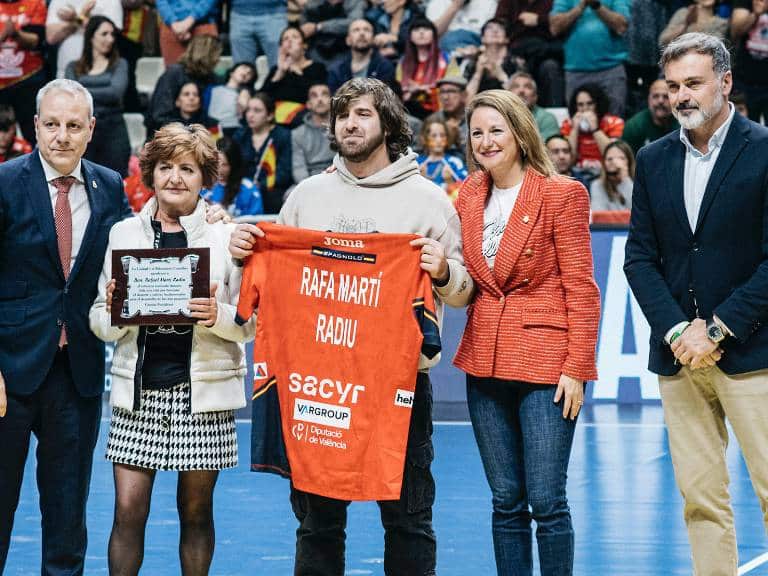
(409,541)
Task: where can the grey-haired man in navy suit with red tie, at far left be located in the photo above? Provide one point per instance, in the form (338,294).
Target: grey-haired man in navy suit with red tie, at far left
(53,381)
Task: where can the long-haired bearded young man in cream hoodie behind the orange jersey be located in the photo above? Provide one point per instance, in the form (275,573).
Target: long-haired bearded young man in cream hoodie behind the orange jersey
(377,187)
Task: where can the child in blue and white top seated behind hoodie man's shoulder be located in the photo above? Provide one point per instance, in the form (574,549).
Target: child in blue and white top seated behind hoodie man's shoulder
(445,170)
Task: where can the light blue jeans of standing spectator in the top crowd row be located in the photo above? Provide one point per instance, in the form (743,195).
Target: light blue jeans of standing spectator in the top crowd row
(250,36)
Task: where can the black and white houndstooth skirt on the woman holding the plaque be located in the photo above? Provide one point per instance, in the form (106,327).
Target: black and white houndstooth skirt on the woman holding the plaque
(165,435)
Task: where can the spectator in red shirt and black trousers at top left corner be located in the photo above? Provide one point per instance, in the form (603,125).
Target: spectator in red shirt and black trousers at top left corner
(22,28)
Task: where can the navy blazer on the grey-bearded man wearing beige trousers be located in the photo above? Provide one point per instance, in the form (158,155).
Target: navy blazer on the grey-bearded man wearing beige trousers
(720,268)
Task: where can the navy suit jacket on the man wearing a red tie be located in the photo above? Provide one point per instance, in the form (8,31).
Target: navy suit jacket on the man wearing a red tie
(34,298)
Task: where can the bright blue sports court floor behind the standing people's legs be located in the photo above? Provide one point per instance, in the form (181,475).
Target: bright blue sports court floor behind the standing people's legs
(626,510)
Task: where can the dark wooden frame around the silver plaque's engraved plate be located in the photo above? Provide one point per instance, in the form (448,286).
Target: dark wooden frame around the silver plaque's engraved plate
(201,285)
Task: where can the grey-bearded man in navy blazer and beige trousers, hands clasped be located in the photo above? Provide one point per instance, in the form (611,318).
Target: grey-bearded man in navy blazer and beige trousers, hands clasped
(697,262)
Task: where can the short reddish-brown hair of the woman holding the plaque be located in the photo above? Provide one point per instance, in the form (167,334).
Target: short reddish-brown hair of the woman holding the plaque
(174,140)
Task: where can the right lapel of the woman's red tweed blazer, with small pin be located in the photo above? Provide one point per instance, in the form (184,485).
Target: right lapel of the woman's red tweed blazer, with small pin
(519,226)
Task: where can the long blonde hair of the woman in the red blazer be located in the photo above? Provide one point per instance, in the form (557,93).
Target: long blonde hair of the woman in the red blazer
(520,121)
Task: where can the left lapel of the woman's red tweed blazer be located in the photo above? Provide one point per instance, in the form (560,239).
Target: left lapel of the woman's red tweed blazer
(476,190)
